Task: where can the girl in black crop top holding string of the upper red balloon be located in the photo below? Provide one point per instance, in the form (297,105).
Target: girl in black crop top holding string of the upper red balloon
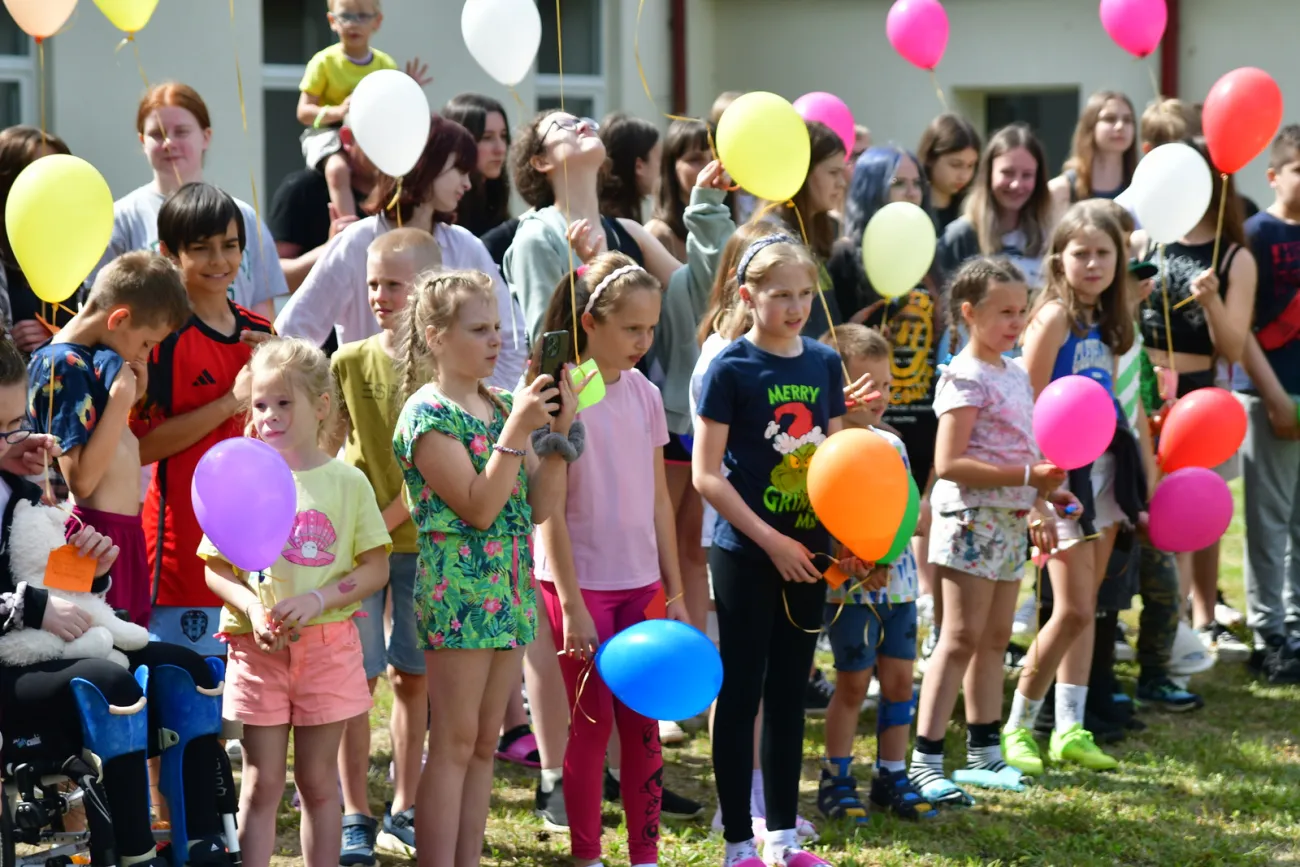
(1203,335)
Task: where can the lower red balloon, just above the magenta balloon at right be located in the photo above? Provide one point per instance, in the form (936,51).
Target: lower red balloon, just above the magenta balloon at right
(1203,430)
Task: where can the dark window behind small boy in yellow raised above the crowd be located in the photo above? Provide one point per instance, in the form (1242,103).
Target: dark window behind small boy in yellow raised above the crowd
(293,31)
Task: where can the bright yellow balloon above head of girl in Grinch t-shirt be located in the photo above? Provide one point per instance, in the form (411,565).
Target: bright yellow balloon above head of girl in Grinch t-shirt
(765,146)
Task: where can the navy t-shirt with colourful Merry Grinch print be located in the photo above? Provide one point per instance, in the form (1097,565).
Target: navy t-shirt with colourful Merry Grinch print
(779,411)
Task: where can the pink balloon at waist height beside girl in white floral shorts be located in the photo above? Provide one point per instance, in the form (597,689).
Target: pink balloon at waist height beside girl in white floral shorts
(1074,422)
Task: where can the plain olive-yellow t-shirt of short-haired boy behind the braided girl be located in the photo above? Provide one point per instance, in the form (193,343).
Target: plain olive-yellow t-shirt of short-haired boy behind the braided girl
(370,387)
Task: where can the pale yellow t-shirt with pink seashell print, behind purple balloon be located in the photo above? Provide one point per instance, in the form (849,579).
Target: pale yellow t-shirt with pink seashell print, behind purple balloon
(337,522)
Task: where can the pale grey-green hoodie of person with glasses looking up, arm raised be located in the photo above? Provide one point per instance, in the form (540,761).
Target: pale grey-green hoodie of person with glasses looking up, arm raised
(536,262)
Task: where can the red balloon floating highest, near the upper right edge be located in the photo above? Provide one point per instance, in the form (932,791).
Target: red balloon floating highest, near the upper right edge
(1242,115)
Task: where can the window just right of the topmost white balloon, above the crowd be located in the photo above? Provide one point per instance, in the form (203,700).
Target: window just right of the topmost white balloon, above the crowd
(584,58)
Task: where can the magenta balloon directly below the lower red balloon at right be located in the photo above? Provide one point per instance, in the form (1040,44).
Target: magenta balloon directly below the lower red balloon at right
(1190,510)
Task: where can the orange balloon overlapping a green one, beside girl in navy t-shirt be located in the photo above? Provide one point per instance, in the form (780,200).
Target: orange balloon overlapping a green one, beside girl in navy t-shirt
(859,488)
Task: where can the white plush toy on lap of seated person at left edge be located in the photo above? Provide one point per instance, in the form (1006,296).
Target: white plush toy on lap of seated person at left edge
(36,532)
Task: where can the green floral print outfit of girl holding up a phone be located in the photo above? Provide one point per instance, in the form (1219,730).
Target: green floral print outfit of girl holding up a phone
(474,589)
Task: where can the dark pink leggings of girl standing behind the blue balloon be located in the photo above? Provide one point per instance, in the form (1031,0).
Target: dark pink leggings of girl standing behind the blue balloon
(642,775)
